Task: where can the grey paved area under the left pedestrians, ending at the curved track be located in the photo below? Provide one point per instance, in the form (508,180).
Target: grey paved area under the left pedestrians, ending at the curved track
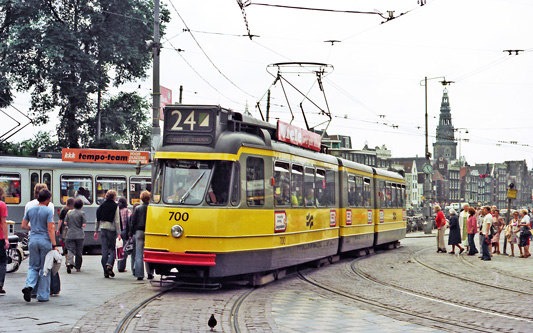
(81,293)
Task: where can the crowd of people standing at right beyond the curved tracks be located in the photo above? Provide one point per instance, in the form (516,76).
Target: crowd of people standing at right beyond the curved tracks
(490,225)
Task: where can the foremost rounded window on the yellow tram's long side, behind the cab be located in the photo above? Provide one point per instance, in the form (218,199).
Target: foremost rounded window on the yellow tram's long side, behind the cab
(255,181)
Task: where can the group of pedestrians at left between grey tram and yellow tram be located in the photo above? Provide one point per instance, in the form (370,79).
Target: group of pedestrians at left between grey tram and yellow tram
(114,221)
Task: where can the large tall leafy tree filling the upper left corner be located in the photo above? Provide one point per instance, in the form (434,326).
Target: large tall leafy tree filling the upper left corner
(69,52)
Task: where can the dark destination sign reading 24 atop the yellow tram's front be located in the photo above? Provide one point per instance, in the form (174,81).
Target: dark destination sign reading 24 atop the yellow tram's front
(187,125)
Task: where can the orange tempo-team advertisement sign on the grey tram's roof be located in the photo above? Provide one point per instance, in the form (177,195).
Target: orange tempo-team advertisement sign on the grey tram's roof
(105,156)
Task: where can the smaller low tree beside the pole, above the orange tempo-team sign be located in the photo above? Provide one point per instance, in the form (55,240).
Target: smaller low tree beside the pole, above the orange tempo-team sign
(124,124)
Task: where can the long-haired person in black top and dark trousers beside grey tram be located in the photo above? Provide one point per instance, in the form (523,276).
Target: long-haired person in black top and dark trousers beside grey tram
(108,224)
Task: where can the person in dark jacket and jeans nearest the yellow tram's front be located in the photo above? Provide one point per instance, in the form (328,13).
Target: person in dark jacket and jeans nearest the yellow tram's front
(138,223)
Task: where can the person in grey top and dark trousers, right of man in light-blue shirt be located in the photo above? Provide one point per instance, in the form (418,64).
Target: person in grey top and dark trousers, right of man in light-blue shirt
(76,221)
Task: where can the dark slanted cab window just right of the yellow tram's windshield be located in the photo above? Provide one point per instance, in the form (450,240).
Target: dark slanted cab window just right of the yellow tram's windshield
(218,192)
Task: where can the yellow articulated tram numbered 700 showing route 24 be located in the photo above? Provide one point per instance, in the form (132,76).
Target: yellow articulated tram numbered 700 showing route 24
(233,195)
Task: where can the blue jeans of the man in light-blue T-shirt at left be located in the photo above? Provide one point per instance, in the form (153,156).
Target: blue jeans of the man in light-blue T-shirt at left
(39,248)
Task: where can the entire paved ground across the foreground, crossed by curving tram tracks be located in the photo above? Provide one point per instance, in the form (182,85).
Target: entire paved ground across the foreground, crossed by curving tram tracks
(90,303)
